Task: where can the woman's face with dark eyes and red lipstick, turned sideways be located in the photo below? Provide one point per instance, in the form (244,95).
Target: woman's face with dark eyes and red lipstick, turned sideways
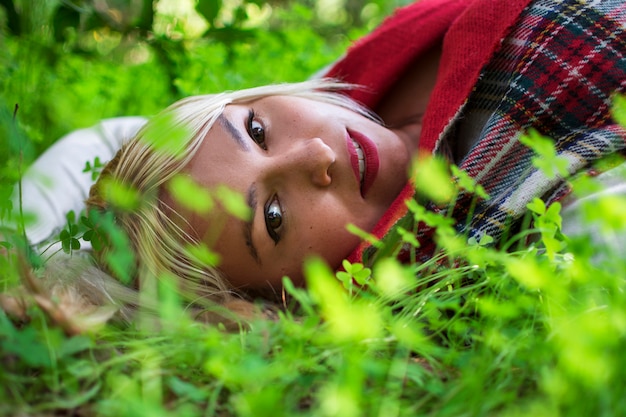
(306,169)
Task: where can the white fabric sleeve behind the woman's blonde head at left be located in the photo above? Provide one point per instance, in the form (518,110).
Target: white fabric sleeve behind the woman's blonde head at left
(56,183)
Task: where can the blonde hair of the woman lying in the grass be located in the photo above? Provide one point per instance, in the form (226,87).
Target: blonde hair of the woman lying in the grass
(159,243)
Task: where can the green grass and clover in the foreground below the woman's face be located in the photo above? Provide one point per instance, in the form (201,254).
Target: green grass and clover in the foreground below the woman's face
(506,334)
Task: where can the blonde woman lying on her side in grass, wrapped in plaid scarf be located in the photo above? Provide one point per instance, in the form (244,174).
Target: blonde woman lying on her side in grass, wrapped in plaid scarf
(460,79)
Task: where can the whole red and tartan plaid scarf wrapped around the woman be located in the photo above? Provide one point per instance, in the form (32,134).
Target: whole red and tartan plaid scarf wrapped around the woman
(547,65)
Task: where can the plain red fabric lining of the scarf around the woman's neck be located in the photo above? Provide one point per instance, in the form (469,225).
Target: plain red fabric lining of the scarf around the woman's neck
(471,30)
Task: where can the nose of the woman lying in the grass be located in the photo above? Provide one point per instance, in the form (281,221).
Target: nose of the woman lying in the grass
(310,159)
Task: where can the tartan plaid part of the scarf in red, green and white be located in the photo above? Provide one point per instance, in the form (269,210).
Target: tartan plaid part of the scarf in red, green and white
(555,72)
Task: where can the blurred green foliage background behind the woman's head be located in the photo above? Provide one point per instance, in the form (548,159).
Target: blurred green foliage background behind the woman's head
(68,64)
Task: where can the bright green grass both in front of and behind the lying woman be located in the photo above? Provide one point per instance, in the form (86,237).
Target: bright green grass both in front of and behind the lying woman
(539,330)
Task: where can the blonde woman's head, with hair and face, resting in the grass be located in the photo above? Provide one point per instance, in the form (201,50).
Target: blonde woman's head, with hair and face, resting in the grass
(290,152)
